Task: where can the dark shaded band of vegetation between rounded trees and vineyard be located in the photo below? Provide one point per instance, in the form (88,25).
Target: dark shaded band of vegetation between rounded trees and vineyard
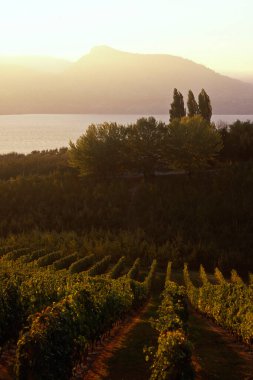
(206,218)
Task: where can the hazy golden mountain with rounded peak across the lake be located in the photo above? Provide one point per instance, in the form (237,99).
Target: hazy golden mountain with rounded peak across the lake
(110,81)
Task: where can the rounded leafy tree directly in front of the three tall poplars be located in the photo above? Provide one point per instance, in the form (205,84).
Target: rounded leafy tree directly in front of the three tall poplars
(192,143)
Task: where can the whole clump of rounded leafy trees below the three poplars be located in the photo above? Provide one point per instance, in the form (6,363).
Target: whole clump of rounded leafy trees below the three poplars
(147,146)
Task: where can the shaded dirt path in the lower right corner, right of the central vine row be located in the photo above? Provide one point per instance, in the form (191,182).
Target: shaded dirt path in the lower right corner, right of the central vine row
(217,355)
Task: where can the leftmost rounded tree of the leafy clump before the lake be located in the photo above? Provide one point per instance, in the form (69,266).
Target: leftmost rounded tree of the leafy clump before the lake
(101,151)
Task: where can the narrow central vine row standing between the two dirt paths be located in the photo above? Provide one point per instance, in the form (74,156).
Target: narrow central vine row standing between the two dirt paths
(172,359)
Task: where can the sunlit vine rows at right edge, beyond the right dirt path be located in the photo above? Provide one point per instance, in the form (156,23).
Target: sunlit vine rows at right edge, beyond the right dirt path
(230,304)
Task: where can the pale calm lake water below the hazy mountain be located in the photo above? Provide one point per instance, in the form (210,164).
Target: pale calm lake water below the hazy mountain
(25,133)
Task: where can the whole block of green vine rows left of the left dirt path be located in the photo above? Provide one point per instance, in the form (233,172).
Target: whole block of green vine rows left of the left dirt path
(77,309)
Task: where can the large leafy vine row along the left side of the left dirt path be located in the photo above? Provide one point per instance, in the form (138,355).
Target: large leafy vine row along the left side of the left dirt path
(59,337)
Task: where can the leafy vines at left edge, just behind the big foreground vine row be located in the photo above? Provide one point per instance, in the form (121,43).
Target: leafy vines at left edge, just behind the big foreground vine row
(25,289)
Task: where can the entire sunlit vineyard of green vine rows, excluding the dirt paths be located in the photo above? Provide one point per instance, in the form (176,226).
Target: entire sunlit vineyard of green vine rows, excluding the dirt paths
(57,307)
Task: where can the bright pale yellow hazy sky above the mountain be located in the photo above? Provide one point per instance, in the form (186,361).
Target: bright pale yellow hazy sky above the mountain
(217,33)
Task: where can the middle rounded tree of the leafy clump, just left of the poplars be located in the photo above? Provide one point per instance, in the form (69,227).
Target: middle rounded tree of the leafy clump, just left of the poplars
(145,140)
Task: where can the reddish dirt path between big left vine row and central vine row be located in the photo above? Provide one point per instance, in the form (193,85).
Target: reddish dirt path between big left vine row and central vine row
(123,358)
